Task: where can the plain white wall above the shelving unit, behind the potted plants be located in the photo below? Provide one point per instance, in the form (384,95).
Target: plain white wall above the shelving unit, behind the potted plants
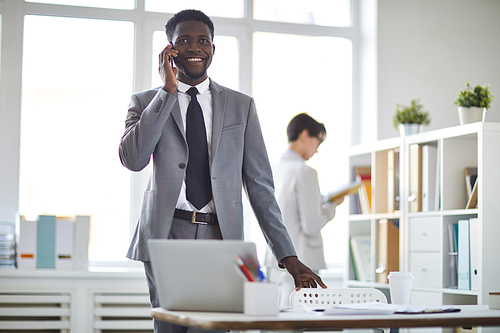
(428,49)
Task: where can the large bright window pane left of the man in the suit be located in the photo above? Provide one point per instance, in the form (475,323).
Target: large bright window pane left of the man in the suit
(76,85)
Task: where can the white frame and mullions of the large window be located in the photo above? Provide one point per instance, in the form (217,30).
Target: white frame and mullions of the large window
(12,20)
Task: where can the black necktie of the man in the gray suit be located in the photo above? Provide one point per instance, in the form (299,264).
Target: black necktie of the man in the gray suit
(198,186)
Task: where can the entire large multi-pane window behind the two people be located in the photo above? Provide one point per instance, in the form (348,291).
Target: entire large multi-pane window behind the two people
(81,61)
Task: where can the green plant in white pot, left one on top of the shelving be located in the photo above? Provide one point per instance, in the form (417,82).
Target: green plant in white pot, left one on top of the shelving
(409,119)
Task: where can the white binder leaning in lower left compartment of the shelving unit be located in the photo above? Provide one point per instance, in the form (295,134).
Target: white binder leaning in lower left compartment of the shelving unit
(361,256)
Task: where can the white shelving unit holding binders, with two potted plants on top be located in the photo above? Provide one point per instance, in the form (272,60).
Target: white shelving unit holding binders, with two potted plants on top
(423,235)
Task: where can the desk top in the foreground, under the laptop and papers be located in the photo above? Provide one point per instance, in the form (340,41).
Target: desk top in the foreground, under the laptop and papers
(470,315)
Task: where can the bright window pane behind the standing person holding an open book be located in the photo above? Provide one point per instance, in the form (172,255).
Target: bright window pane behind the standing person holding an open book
(317,80)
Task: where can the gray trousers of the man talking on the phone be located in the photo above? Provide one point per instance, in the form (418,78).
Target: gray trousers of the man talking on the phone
(181,229)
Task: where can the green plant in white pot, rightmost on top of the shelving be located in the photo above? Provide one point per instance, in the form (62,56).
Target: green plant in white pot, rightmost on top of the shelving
(473,103)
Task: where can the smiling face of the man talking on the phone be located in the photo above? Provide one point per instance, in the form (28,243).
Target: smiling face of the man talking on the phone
(193,41)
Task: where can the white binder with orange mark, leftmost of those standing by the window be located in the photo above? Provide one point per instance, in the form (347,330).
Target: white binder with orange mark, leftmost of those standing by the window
(26,243)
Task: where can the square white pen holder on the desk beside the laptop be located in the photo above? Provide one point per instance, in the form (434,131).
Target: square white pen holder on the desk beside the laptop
(261,299)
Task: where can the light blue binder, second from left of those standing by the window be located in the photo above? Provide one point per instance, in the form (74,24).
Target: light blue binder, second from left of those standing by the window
(46,242)
